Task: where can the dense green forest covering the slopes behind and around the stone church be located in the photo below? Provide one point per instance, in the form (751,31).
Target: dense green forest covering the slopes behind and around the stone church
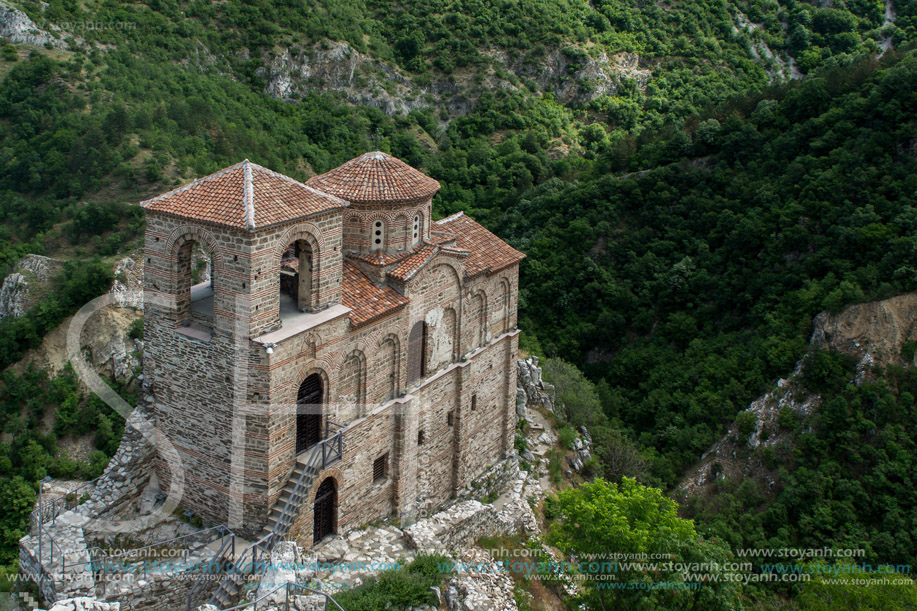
(681,230)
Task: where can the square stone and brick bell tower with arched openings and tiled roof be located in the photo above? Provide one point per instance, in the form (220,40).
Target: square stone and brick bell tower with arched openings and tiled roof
(213,254)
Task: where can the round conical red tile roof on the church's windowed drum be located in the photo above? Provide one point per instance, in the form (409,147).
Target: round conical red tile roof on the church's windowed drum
(375,178)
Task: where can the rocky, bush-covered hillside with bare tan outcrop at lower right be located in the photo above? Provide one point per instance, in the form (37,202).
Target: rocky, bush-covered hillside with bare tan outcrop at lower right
(825,457)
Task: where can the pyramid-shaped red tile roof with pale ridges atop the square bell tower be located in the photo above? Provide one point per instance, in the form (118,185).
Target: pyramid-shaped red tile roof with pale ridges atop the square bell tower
(245,196)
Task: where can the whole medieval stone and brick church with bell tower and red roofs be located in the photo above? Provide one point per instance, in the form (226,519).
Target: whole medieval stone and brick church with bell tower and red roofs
(336,356)
